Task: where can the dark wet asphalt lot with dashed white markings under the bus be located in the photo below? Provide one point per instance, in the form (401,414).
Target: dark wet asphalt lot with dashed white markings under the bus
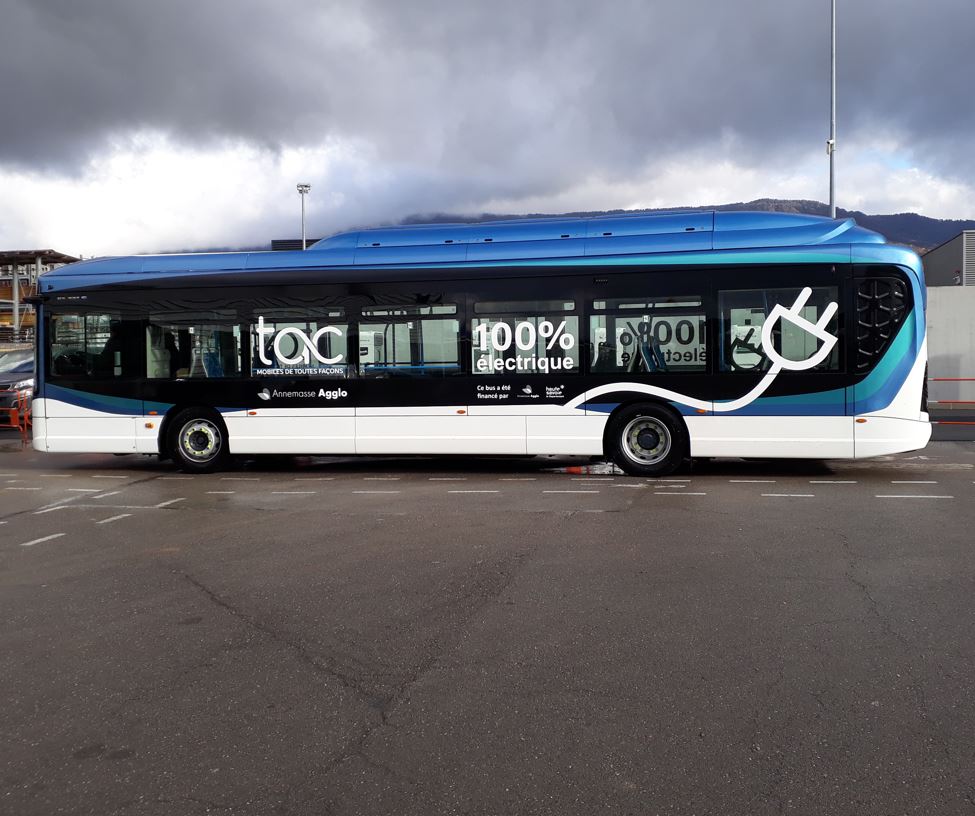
(335,636)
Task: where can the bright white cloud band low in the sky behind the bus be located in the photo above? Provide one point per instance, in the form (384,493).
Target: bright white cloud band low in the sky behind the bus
(149,194)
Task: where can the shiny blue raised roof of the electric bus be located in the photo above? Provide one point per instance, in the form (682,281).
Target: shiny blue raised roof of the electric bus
(617,240)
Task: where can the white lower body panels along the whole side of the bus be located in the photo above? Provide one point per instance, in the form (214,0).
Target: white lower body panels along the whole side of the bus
(61,427)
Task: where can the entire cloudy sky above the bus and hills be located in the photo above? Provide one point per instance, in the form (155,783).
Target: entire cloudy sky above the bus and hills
(140,125)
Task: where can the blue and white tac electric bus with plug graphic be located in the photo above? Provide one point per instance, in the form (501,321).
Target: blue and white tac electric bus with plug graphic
(645,339)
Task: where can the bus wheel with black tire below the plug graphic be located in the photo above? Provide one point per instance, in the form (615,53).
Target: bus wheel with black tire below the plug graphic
(647,440)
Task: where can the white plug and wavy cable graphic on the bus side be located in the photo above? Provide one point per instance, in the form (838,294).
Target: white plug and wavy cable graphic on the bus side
(779,363)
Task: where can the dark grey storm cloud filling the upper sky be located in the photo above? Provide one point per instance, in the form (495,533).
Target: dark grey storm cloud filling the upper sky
(518,96)
